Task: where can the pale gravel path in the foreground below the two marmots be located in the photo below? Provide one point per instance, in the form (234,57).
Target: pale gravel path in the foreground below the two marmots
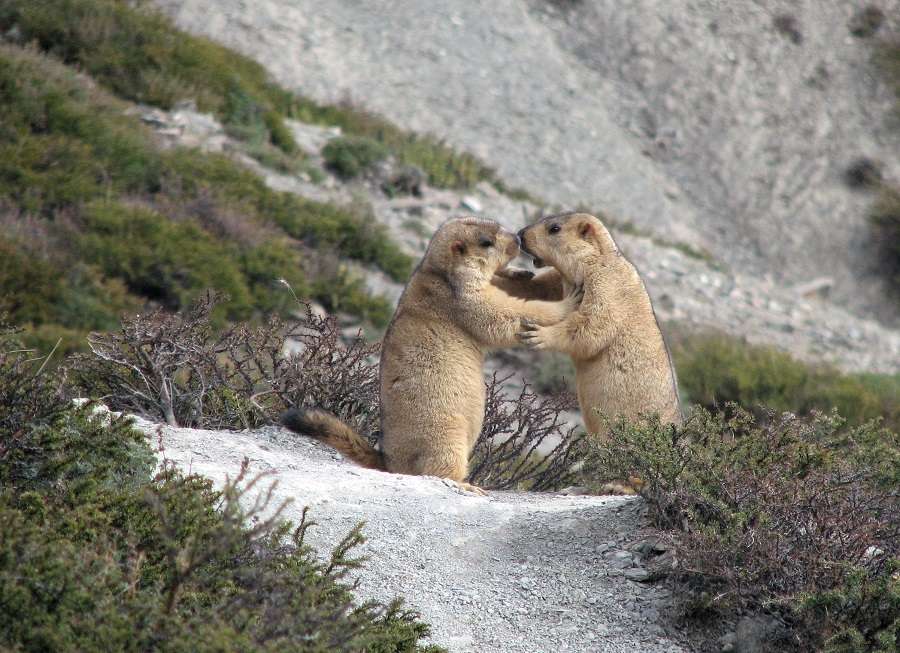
(503,573)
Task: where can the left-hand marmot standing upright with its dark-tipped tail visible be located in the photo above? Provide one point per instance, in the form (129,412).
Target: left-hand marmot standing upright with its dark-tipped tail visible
(432,381)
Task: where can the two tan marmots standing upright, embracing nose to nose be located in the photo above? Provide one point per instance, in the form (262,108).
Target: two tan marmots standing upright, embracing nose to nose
(463,300)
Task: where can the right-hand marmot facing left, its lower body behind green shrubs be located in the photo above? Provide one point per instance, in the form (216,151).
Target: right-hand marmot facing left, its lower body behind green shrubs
(622,365)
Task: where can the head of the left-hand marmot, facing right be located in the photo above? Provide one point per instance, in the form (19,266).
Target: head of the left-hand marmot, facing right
(470,249)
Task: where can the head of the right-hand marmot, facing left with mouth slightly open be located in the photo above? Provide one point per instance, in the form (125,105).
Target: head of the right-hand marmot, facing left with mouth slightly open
(565,240)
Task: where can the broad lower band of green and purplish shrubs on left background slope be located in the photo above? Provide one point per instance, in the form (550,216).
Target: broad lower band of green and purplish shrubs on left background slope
(67,150)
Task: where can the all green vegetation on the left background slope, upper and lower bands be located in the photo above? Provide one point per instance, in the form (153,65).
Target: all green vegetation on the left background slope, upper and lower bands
(98,219)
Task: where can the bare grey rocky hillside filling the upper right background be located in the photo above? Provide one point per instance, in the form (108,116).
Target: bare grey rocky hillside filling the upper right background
(725,126)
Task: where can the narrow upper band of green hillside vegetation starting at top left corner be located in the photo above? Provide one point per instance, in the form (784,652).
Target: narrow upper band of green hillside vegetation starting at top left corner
(141,56)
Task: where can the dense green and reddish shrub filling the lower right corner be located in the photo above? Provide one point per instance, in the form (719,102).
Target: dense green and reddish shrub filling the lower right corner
(795,516)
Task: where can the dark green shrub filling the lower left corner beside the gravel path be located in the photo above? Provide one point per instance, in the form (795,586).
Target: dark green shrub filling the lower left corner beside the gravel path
(97,553)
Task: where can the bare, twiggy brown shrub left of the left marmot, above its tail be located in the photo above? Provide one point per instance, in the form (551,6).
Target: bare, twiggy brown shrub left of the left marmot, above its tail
(177,368)
